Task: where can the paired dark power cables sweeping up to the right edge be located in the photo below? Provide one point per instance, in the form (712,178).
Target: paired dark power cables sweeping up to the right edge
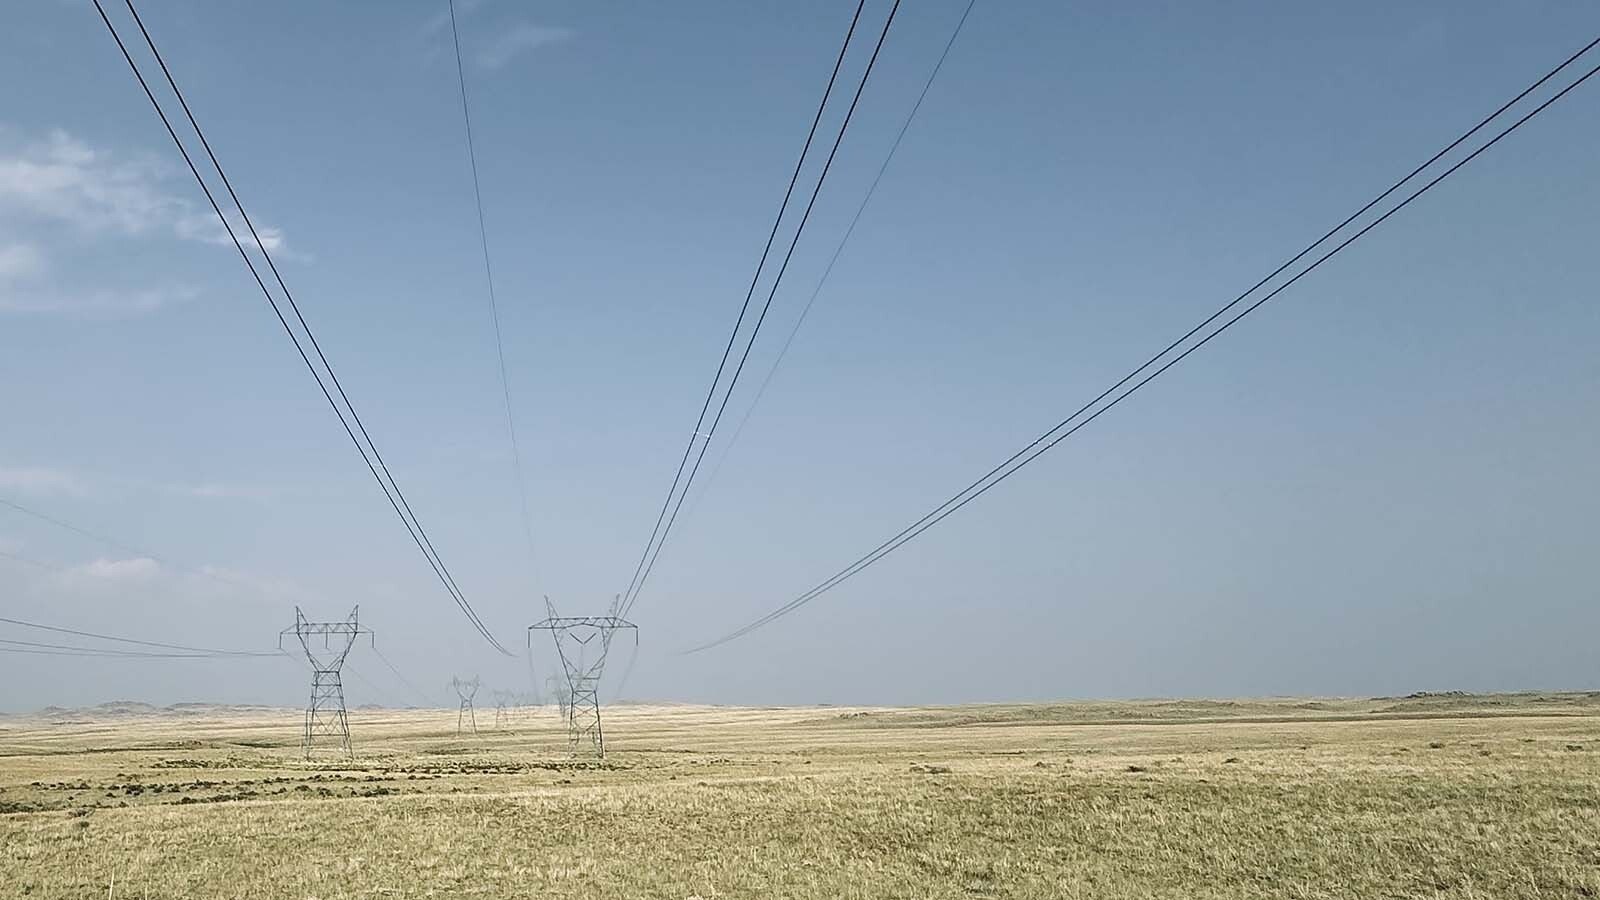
(1050,440)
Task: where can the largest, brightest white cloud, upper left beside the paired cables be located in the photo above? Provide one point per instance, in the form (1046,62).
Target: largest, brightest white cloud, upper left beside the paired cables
(62,179)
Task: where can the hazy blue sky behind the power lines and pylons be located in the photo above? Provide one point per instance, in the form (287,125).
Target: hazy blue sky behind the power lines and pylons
(1383,483)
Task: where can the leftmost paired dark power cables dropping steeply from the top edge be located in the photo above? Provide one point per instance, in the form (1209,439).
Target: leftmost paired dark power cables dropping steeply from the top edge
(390,488)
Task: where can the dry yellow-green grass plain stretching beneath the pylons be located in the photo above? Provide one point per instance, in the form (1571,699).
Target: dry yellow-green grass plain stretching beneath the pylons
(1426,797)
